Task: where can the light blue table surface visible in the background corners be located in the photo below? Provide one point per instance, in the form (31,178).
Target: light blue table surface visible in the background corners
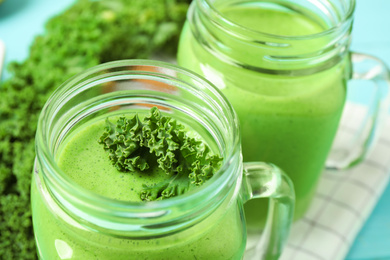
(21,20)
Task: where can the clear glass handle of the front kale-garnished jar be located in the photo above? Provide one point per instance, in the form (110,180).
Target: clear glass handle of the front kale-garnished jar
(262,180)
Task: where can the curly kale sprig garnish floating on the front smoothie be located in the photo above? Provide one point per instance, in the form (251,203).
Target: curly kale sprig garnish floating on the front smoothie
(159,141)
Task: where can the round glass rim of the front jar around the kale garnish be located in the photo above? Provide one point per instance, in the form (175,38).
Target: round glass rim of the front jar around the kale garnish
(140,209)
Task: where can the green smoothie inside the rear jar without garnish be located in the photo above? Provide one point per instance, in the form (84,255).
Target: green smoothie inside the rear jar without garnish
(286,119)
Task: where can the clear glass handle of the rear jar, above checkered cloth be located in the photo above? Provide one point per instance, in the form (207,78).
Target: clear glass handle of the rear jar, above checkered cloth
(367,104)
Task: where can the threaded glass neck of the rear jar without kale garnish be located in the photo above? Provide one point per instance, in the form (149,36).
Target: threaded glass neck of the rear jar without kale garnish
(214,25)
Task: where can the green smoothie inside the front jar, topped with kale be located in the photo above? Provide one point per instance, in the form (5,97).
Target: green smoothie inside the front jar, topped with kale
(82,158)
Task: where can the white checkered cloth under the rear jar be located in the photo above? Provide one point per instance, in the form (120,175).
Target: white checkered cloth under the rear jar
(343,202)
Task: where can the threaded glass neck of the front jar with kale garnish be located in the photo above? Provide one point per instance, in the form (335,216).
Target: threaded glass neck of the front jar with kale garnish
(115,87)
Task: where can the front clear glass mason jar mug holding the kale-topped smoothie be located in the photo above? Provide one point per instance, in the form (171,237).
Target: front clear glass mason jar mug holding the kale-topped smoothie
(72,222)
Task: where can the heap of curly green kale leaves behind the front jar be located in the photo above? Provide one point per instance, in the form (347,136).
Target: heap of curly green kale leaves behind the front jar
(88,33)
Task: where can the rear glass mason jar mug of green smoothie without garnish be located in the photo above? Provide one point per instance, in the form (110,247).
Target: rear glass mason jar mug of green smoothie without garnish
(284,65)
